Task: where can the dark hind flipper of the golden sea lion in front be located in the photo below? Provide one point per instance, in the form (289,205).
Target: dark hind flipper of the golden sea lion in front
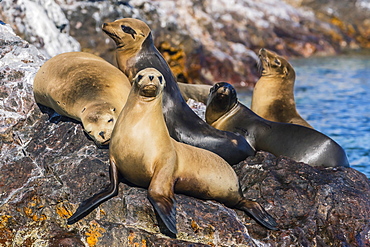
(258,213)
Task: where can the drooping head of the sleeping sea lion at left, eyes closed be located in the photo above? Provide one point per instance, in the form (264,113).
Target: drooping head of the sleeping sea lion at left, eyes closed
(98,121)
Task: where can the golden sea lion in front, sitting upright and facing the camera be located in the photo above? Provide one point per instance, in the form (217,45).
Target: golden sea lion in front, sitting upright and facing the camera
(163,165)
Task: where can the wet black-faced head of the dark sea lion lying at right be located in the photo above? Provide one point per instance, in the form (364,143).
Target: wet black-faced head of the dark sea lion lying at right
(221,99)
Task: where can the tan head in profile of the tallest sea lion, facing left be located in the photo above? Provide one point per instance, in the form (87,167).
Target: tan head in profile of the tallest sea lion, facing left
(127,32)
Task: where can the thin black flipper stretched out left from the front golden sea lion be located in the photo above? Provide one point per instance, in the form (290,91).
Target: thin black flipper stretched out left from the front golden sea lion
(90,204)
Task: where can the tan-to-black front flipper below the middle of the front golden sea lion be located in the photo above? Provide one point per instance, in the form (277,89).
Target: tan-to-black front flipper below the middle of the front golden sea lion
(161,196)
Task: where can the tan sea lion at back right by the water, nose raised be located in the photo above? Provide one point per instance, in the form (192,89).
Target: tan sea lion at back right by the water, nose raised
(273,94)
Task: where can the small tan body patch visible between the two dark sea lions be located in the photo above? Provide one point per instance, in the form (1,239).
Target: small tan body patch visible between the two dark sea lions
(197,92)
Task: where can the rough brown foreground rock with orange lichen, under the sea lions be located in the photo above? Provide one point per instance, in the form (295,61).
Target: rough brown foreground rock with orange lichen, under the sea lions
(48,168)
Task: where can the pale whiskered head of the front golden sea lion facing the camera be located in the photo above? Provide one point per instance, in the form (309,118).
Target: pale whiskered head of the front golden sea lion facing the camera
(149,83)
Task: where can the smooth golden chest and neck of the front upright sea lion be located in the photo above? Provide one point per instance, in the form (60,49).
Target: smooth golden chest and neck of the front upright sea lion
(139,142)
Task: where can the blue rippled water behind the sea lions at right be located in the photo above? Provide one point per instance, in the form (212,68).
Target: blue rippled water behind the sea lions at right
(333,95)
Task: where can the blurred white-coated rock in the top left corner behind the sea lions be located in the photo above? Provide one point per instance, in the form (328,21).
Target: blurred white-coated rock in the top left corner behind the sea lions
(42,23)
